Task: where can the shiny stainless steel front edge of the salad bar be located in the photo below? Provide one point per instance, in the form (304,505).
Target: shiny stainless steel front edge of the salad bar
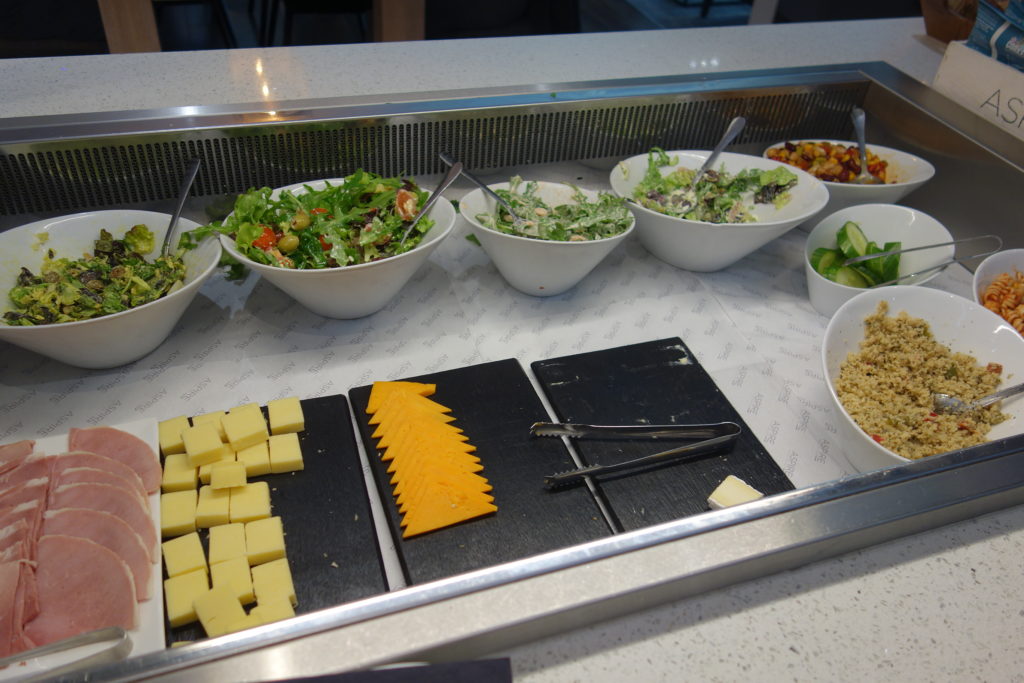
(496,609)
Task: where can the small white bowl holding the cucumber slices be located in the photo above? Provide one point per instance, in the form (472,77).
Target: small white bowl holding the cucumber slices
(881,224)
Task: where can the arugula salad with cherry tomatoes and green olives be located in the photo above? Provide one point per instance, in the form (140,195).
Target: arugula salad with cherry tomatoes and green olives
(359,221)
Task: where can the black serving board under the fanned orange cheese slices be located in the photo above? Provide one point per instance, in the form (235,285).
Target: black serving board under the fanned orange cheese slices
(495,405)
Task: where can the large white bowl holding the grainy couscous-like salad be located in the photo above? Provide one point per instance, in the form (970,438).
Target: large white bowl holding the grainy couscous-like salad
(956,322)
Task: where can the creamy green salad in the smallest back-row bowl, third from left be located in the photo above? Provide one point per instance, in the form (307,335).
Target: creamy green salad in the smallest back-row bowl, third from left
(583,221)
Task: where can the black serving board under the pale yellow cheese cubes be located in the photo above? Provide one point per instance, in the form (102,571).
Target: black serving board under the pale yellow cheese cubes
(330,538)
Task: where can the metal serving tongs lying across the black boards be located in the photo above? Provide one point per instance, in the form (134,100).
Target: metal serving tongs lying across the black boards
(713,437)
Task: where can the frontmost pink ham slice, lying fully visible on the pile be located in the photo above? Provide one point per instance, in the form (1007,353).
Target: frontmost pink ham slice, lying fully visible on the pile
(82,587)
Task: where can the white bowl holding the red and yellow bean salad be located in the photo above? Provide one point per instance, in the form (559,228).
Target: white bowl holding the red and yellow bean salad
(910,173)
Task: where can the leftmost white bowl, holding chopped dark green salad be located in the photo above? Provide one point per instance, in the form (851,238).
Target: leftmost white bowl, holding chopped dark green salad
(112,340)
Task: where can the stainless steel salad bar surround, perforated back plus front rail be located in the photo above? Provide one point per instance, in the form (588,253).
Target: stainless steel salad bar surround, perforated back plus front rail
(61,164)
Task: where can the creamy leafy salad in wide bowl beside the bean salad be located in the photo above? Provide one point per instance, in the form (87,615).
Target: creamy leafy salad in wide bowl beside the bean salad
(719,197)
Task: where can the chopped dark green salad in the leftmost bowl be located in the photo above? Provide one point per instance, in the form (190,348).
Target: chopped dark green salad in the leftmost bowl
(114,279)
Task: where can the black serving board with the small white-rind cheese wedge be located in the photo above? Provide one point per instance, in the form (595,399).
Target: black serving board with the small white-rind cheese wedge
(657,382)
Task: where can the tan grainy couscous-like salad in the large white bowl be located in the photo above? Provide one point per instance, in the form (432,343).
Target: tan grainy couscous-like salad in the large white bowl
(887,388)
